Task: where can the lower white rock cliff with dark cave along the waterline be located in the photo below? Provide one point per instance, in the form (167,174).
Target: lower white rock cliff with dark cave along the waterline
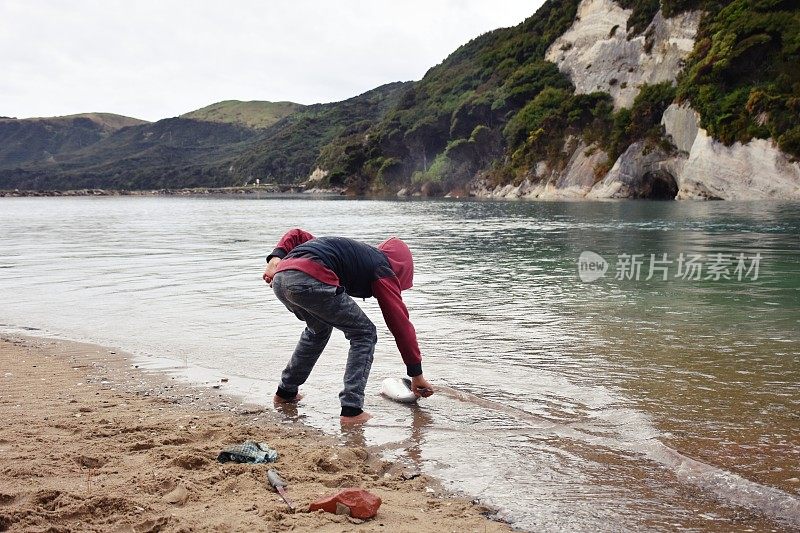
(700,168)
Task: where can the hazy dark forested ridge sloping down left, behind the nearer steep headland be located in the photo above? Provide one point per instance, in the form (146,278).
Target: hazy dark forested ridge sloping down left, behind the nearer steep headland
(187,152)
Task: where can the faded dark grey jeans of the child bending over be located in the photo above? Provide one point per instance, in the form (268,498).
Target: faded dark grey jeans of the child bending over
(324,307)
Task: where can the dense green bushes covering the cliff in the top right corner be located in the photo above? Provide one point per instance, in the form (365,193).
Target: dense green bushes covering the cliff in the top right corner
(743,76)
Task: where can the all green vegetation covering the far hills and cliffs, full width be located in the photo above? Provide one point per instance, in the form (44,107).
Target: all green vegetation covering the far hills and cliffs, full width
(494,108)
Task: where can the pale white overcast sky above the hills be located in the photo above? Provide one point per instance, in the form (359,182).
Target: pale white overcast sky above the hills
(154,59)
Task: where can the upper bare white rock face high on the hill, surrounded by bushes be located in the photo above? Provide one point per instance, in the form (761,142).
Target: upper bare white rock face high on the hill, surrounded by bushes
(597,55)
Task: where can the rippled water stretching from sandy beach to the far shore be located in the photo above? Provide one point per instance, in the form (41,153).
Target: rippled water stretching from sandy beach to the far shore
(615,404)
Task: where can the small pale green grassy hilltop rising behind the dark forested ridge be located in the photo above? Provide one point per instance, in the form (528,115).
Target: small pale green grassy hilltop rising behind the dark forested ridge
(254,114)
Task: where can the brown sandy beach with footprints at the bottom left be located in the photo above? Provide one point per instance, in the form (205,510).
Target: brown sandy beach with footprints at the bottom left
(90,443)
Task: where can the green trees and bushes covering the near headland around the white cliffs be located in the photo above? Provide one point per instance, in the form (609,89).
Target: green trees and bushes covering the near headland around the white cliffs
(496,107)
